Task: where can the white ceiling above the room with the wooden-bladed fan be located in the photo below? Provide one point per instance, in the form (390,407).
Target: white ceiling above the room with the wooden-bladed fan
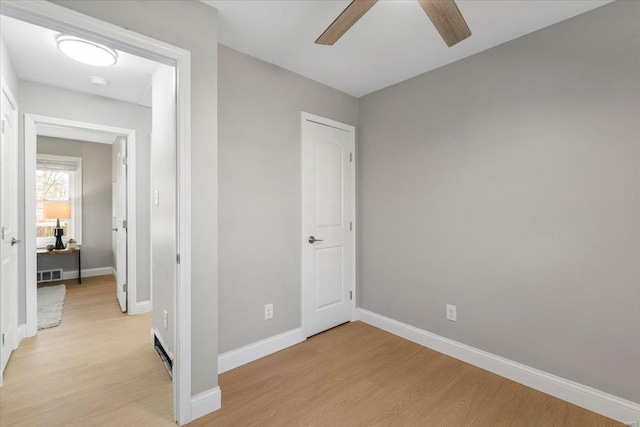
(394,41)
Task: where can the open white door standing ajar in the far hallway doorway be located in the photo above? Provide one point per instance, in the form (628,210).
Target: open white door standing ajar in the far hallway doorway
(120,230)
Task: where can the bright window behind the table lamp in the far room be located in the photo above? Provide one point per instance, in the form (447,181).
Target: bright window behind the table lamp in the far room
(58,179)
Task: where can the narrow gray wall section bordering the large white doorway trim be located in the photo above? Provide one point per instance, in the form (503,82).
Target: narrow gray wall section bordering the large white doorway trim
(191,25)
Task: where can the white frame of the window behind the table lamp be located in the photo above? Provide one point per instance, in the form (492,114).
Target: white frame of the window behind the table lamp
(75,196)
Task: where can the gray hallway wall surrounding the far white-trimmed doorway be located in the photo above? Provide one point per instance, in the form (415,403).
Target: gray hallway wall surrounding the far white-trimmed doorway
(51,101)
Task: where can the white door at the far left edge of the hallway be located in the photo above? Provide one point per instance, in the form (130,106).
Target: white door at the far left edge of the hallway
(9,230)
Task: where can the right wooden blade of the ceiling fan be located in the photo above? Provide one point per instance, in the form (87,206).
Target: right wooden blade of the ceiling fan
(447,19)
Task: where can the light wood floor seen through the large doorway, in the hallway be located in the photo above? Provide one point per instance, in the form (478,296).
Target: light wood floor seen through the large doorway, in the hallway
(97,368)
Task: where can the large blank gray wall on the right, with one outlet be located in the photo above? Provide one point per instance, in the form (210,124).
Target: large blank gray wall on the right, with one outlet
(507,184)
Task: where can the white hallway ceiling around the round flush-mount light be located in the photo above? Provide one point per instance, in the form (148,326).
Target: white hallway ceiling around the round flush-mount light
(36,57)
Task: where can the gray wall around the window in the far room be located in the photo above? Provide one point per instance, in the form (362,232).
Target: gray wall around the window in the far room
(96,202)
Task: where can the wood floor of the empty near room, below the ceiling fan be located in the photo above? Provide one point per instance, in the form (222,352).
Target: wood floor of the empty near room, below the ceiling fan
(357,375)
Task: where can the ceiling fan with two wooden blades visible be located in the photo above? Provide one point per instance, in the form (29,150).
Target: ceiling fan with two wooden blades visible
(444,14)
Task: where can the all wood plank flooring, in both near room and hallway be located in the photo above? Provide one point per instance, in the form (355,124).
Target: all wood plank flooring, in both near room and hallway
(98,369)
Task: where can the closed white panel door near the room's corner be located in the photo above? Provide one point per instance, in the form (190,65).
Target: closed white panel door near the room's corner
(328,190)
